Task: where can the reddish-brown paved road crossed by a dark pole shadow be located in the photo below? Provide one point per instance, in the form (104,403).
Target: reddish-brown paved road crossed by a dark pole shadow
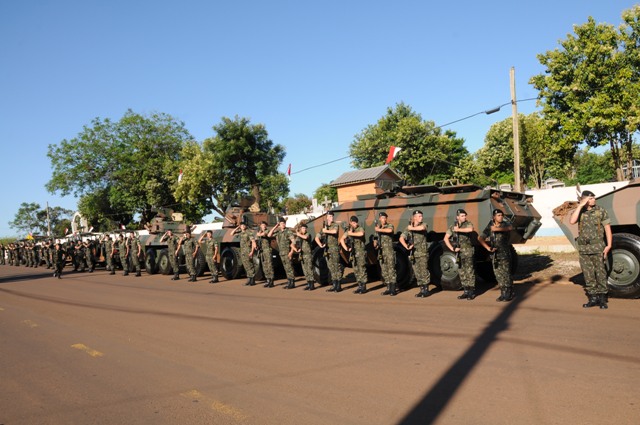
(100,349)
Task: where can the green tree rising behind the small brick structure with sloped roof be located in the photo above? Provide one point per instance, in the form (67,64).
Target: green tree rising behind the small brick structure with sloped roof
(427,152)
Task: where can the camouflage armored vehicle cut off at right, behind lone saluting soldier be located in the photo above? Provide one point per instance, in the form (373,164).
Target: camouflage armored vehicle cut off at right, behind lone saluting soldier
(623,206)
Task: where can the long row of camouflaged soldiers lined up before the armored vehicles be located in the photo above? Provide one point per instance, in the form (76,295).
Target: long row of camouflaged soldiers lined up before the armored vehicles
(298,243)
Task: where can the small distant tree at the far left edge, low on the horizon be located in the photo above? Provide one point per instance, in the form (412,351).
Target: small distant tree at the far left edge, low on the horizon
(31,218)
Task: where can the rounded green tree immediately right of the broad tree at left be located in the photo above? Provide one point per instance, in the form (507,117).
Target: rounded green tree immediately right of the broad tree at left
(240,160)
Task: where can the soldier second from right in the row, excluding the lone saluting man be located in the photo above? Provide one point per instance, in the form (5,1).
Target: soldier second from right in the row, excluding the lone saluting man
(460,232)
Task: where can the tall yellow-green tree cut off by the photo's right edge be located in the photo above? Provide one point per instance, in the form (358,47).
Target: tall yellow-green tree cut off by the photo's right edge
(590,88)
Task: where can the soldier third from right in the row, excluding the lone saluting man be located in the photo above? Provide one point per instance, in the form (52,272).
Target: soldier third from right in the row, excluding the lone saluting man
(414,240)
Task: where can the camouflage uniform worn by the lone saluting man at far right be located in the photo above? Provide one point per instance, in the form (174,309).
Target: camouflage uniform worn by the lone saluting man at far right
(590,247)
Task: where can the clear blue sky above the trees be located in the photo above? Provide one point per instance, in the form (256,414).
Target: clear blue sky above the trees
(315,73)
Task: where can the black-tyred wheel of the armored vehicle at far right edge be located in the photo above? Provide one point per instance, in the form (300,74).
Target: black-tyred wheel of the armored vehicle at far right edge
(624,266)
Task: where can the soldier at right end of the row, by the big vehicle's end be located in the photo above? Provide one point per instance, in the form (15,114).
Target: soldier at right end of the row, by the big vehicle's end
(498,232)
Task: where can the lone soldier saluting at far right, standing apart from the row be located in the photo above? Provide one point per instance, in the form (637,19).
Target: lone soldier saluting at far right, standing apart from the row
(594,226)
